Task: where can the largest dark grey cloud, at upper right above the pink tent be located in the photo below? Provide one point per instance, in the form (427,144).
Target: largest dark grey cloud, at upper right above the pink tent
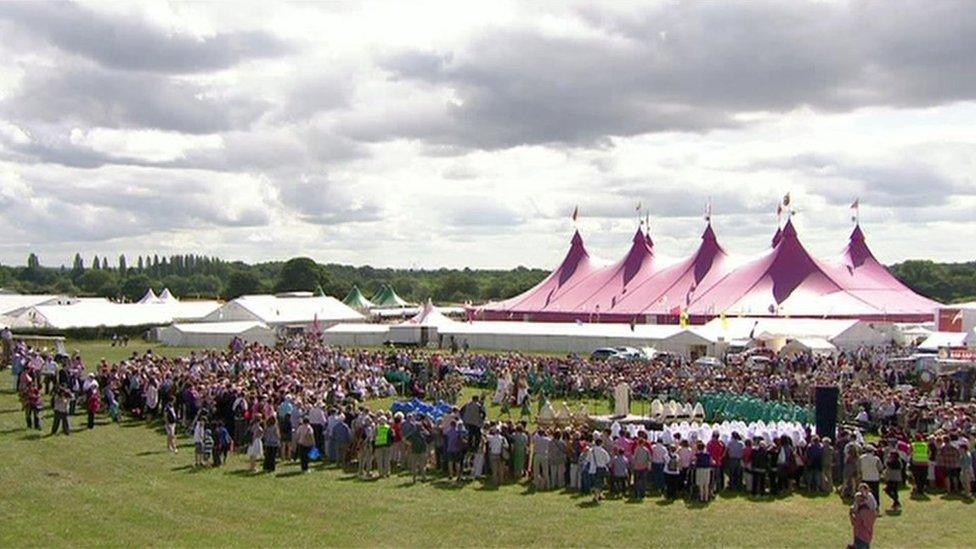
(686,67)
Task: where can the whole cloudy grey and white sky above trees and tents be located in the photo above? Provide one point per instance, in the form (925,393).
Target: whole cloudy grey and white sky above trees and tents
(423,134)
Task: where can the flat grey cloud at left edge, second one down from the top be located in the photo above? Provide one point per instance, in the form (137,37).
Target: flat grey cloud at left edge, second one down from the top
(113,99)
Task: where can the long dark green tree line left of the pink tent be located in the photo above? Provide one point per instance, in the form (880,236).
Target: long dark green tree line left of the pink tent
(197,276)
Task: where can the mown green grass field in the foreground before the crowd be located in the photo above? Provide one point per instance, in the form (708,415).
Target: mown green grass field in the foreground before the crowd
(117,485)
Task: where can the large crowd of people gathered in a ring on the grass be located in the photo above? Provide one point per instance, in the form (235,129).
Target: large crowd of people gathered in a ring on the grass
(306,402)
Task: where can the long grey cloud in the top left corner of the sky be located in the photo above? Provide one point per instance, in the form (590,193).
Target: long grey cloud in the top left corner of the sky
(136,45)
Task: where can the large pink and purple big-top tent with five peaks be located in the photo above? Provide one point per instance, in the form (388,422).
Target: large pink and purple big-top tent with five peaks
(785,281)
